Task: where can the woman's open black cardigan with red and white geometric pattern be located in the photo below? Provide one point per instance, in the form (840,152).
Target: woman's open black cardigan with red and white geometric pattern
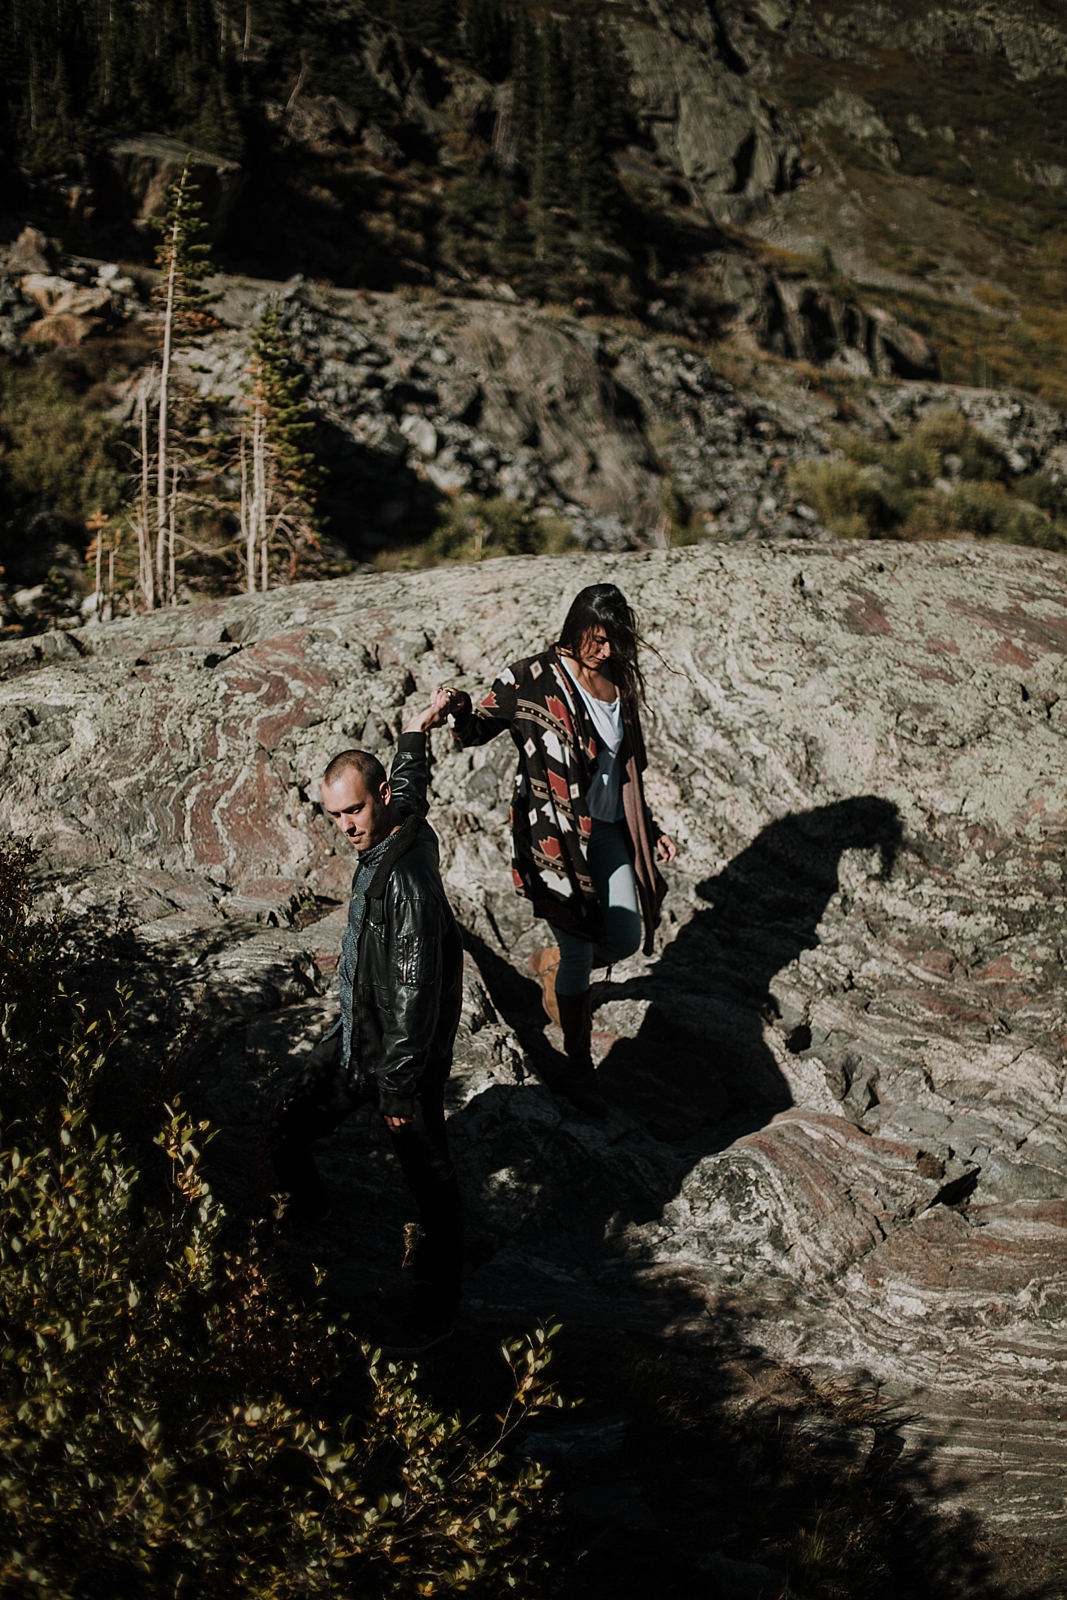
(557,753)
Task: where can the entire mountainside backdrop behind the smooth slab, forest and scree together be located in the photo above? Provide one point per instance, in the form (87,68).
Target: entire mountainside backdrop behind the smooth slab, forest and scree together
(809,222)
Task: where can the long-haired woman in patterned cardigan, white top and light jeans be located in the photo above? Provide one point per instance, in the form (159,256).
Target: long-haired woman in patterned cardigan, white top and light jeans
(585,841)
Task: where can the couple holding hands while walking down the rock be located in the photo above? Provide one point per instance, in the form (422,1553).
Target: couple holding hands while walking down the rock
(585,852)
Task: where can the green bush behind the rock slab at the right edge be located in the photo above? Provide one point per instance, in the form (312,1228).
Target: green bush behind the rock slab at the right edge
(943,481)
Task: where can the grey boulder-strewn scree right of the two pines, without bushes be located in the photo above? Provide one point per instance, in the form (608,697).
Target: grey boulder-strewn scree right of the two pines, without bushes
(613,431)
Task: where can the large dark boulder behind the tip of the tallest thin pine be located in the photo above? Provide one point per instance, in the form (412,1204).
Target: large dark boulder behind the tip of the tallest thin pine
(140,172)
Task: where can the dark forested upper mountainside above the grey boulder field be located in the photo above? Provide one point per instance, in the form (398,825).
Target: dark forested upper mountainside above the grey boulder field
(903,156)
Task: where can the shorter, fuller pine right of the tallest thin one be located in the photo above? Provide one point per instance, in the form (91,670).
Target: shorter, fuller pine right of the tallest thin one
(281,481)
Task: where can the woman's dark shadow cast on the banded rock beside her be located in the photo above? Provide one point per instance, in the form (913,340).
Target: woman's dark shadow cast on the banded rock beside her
(698,1068)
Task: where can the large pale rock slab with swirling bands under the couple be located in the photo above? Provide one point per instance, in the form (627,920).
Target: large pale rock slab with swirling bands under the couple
(839,1129)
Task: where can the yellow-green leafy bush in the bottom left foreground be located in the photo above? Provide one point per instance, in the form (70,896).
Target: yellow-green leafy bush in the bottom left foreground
(166,1409)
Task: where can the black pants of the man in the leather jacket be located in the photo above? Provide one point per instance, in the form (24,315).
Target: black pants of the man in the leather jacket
(321,1100)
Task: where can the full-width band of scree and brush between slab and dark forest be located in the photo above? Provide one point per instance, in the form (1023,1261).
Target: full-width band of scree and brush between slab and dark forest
(620,438)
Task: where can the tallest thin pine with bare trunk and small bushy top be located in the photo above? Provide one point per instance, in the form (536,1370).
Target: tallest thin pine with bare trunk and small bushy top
(185,262)
